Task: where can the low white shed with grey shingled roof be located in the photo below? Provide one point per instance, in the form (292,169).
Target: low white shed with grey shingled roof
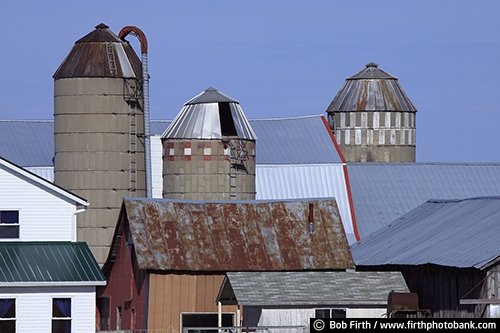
(280,299)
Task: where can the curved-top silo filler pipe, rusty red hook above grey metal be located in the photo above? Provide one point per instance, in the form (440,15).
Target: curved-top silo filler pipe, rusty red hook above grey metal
(145,91)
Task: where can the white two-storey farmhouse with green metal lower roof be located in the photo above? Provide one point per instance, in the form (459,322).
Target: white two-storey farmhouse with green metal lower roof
(47,279)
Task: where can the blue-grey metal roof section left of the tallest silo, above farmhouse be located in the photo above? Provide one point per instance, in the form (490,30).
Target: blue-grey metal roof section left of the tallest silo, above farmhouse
(27,143)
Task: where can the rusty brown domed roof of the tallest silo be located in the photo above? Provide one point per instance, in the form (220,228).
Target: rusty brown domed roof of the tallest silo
(100,53)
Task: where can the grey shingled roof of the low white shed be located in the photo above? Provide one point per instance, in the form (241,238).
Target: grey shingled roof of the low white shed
(310,288)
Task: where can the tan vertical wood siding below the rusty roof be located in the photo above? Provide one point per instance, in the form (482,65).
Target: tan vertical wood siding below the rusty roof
(171,294)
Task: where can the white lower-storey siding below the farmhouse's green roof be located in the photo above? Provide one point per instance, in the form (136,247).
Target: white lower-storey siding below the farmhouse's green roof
(34,307)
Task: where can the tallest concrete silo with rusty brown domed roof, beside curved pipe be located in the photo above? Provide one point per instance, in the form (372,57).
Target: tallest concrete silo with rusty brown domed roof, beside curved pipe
(99,131)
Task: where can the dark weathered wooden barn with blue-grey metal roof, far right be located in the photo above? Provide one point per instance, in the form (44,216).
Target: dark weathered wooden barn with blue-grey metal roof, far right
(447,251)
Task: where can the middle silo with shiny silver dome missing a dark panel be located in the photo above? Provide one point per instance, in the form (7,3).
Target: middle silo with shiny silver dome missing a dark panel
(209,151)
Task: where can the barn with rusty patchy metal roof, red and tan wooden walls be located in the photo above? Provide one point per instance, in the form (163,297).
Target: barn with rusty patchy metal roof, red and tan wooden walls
(170,257)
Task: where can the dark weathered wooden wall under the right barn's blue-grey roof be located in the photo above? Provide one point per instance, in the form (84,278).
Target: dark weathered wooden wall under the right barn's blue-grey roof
(441,288)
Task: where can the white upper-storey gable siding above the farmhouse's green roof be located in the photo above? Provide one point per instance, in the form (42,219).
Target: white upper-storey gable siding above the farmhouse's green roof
(43,216)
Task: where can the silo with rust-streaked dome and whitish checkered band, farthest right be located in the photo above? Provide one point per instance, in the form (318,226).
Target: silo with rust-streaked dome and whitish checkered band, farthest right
(372,119)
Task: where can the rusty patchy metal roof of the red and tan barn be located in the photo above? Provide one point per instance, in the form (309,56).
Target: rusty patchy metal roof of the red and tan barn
(177,235)
